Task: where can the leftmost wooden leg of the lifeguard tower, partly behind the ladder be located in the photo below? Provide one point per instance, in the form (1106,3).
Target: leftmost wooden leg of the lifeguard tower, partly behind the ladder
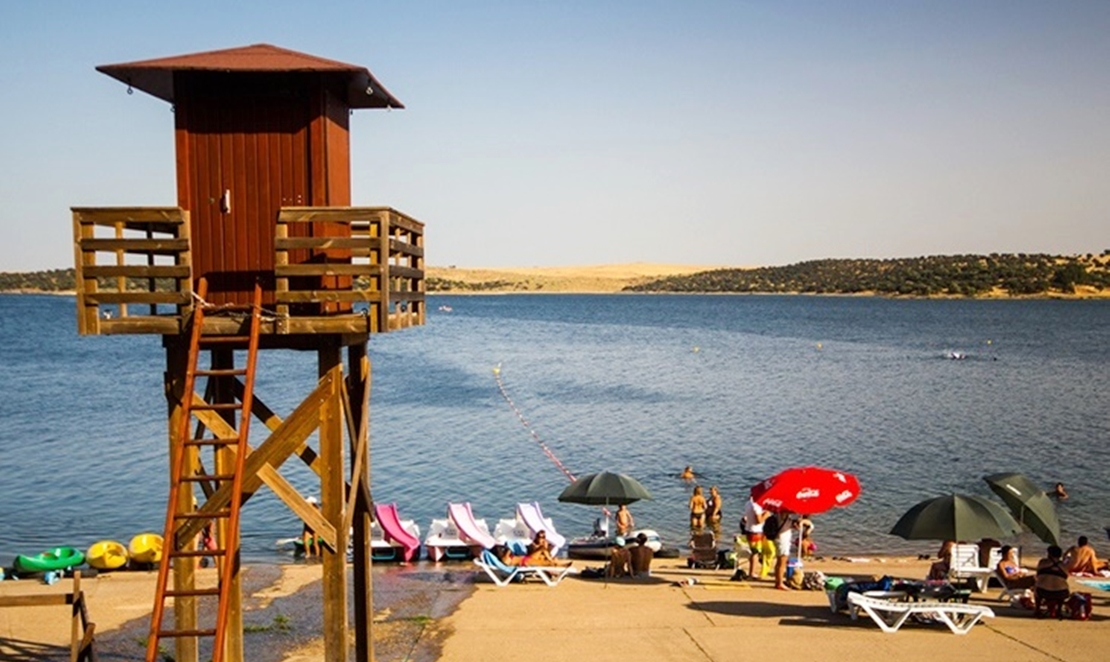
(185,575)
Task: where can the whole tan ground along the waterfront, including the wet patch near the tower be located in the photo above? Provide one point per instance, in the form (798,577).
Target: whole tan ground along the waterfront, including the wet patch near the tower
(451,613)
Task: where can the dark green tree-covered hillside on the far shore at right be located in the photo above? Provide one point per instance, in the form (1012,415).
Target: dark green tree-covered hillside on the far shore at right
(955,276)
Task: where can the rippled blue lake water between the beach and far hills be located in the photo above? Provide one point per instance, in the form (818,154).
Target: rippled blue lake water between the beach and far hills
(738,387)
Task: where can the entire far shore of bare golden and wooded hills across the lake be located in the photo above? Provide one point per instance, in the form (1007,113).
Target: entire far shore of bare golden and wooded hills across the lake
(937,276)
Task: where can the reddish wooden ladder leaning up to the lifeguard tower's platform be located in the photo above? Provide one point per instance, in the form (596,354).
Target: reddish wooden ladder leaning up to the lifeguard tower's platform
(181,511)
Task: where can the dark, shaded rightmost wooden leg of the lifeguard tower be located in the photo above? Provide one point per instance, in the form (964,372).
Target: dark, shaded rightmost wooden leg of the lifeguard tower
(359,396)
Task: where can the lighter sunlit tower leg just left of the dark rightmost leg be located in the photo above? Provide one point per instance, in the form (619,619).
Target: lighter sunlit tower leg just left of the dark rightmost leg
(332,485)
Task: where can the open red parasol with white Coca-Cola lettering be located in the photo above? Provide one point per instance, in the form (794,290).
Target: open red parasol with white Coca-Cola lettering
(806,490)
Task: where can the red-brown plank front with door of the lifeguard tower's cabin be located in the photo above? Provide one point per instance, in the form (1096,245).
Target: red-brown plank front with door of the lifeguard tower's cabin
(244,153)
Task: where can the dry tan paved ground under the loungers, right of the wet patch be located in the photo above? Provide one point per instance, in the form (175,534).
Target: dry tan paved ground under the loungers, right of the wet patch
(718,620)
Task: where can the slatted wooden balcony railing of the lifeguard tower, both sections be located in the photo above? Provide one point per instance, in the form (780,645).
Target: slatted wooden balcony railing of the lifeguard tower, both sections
(135,272)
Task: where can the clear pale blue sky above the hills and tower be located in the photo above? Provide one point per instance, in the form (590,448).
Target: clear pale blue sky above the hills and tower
(588,133)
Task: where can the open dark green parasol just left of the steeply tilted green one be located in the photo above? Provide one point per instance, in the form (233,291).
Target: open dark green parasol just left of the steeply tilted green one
(956,517)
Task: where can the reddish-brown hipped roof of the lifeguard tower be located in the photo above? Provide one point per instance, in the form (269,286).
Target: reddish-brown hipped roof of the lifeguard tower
(156,77)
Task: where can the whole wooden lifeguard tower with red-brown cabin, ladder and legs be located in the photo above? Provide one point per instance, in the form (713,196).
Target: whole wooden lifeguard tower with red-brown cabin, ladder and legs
(263,252)
